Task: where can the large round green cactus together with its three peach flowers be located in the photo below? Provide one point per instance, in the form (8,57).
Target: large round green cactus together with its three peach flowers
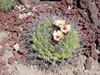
(53,45)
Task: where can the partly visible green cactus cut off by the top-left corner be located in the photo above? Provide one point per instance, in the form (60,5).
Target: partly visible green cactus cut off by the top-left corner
(6,5)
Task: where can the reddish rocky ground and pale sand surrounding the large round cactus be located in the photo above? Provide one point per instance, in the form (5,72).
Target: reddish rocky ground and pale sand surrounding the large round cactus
(85,14)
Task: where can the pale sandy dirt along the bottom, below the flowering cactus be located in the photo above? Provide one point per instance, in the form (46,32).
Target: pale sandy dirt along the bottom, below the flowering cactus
(76,68)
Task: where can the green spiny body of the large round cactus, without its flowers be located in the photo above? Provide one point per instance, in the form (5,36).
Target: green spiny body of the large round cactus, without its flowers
(46,48)
